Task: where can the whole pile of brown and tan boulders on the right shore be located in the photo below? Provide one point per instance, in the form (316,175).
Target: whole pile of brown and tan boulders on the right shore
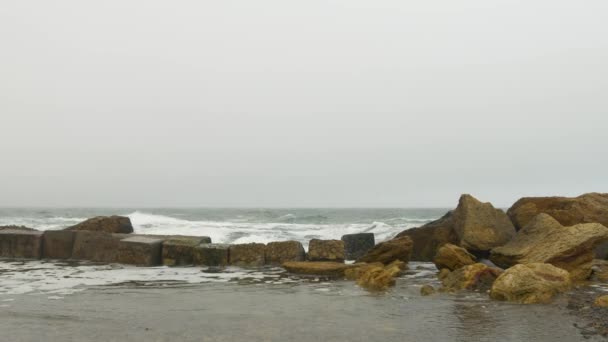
(539,248)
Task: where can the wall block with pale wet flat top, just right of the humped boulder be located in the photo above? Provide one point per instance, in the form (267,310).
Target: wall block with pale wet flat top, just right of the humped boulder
(139,250)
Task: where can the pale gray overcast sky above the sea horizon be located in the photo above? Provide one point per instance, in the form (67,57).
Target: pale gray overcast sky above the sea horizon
(307,103)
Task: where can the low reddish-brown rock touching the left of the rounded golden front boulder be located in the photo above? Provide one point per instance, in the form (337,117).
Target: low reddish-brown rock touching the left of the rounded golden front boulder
(471,277)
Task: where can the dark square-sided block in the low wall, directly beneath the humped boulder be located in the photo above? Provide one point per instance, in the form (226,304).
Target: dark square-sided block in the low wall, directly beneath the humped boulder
(96,246)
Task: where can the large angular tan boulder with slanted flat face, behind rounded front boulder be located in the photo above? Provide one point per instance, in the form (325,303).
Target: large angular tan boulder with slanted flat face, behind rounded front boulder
(545,240)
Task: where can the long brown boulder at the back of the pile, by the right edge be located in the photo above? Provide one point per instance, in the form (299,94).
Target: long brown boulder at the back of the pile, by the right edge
(569,211)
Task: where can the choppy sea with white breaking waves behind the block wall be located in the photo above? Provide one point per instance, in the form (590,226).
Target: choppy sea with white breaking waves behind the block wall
(238,225)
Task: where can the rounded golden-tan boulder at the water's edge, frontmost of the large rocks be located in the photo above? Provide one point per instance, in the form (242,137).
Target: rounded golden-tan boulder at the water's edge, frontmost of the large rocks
(530,283)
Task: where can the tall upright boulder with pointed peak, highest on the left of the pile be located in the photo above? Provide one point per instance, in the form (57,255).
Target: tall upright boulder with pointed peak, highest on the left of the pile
(480,226)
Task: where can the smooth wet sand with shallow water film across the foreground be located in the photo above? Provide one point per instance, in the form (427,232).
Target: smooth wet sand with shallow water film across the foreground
(283,308)
